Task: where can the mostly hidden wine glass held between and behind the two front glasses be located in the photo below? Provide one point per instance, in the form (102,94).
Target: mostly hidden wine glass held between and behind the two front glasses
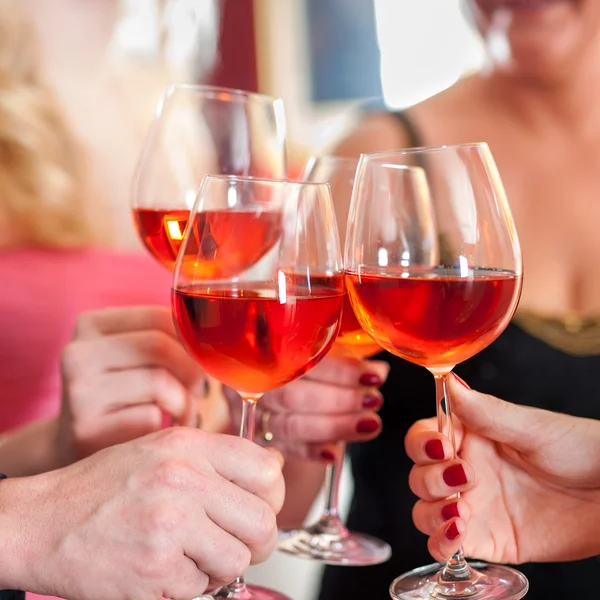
(328,540)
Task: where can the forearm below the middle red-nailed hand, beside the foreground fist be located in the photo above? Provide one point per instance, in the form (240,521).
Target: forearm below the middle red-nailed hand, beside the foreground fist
(303,481)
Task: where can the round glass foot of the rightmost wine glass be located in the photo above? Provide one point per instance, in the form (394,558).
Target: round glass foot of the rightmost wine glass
(487,582)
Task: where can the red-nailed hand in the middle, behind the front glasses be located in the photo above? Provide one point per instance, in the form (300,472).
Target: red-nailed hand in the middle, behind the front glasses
(336,401)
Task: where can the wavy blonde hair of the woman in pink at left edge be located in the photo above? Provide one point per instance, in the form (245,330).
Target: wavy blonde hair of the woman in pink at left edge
(39,175)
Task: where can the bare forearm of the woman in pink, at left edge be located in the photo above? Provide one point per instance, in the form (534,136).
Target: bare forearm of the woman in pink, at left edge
(30,450)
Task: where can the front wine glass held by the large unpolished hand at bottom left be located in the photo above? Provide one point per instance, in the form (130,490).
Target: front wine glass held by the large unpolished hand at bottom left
(258,290)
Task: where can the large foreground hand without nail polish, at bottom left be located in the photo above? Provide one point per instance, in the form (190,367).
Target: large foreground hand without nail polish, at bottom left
(167,515)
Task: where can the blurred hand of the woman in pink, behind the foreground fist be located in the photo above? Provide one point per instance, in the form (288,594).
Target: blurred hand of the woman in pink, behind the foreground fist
(125,374)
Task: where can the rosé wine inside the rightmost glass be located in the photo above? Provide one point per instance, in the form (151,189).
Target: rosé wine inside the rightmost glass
(435,318)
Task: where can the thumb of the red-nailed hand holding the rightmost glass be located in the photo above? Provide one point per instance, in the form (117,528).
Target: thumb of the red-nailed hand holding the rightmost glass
(521,427)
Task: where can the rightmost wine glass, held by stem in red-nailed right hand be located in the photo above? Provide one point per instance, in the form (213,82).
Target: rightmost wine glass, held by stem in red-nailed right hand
(433,269)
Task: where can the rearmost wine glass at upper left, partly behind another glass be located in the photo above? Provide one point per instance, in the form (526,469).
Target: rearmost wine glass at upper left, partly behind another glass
(200,130)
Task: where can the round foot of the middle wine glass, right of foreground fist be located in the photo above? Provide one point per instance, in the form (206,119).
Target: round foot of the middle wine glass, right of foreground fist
(351,549)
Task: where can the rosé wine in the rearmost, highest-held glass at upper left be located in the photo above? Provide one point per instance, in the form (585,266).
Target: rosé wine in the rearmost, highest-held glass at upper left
(222,244)
